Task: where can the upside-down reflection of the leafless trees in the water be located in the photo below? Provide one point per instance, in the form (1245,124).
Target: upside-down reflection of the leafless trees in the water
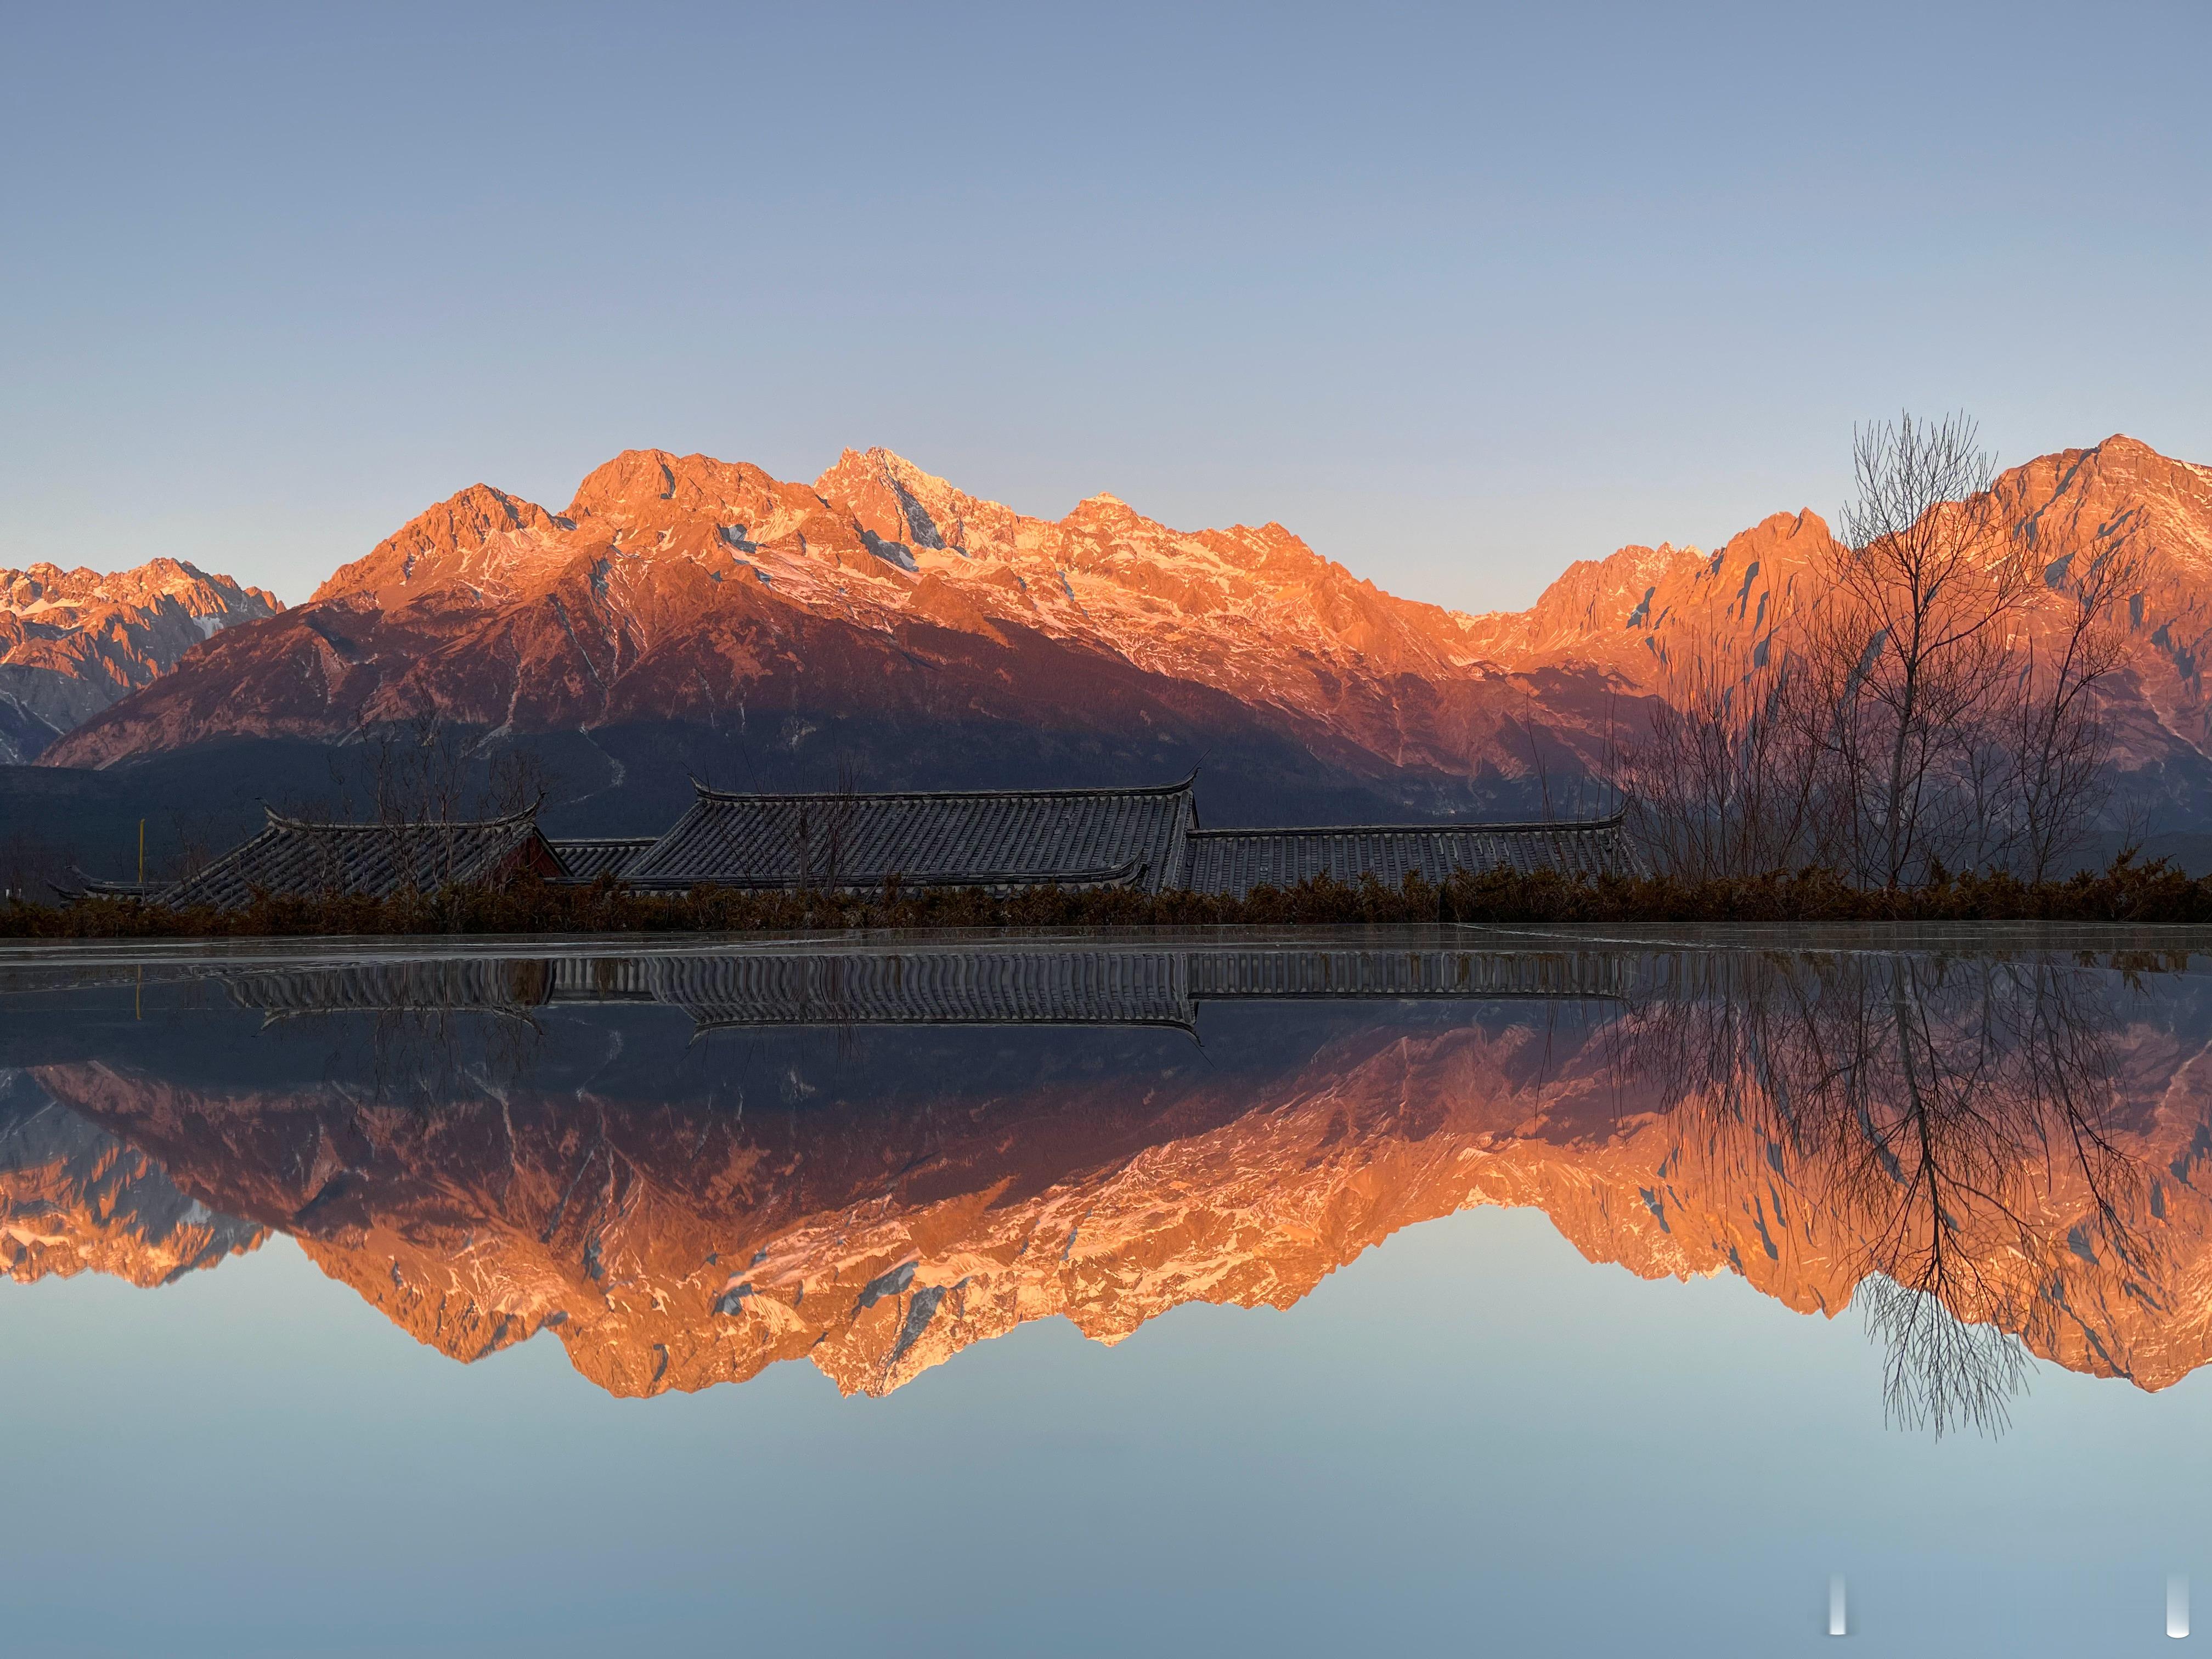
(1954,1120)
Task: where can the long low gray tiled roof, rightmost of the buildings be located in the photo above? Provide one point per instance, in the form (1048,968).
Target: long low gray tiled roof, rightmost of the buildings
(1235,862)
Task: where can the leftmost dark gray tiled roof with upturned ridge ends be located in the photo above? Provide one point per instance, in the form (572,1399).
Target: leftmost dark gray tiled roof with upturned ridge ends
(295,857)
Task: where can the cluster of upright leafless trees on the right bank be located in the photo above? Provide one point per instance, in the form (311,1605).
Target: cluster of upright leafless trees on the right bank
(1928,700)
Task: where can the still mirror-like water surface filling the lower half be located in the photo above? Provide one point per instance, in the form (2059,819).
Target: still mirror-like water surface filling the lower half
(1437,1291)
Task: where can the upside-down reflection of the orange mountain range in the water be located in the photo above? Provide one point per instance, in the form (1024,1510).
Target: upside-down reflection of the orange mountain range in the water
(691,1167)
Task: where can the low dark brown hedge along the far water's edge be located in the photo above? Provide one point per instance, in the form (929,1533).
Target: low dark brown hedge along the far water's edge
(2125,893)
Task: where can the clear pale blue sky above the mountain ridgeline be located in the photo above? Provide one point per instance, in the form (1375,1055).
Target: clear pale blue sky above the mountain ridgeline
(1459,295)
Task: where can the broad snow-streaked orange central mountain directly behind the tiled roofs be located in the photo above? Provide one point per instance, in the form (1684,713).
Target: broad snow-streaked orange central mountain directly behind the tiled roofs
(696,614)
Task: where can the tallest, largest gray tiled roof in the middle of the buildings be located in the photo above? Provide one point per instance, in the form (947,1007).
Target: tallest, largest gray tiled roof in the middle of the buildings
(943,839)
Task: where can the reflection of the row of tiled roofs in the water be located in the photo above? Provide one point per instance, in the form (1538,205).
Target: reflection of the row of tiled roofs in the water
(791,988)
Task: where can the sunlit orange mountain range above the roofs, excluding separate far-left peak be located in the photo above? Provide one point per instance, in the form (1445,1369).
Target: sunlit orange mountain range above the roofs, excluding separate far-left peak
(696,616)
